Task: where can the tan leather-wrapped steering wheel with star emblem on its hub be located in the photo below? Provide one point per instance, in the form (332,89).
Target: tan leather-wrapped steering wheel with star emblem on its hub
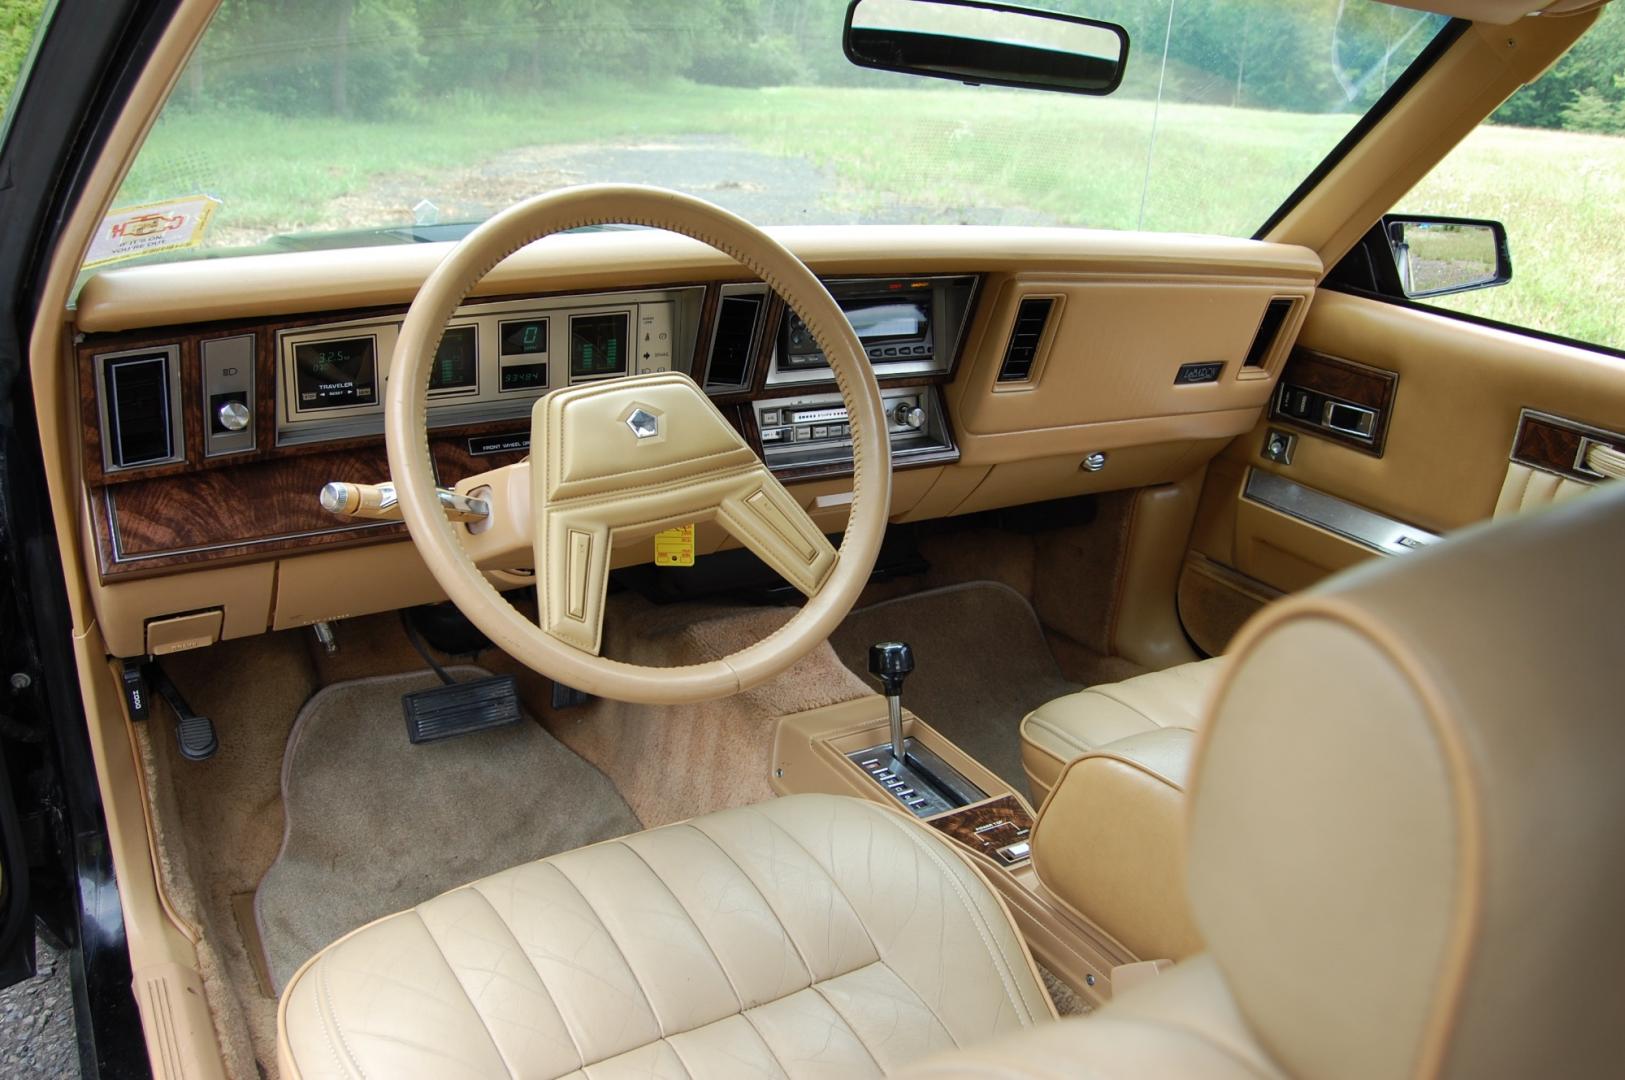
(615,462)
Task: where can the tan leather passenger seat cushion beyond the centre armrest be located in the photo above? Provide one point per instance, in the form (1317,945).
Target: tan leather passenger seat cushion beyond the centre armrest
(1070,727)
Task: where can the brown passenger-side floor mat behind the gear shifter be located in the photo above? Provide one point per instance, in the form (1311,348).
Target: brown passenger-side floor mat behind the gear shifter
(981,665)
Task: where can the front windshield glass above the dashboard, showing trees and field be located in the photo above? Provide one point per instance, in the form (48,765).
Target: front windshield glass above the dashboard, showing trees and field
(337,123)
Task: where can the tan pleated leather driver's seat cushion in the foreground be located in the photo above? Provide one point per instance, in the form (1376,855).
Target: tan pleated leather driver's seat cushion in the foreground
(807,936)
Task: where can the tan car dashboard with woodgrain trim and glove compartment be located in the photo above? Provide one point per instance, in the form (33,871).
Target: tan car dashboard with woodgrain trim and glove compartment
(1016,366)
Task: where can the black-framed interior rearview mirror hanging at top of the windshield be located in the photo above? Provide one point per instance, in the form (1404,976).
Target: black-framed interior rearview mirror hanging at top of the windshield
(994,45)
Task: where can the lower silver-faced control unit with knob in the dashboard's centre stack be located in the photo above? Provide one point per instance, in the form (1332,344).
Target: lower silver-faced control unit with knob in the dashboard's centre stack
(815,430)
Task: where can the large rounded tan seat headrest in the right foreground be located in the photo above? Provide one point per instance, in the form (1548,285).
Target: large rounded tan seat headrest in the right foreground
(1408,819)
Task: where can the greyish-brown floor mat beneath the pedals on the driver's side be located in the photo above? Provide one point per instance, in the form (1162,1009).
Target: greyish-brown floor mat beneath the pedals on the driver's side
(376,824)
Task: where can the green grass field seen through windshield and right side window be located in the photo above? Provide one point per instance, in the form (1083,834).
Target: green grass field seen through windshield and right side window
(934,155)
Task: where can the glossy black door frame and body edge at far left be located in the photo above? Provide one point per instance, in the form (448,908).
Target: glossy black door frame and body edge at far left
(85,66)
